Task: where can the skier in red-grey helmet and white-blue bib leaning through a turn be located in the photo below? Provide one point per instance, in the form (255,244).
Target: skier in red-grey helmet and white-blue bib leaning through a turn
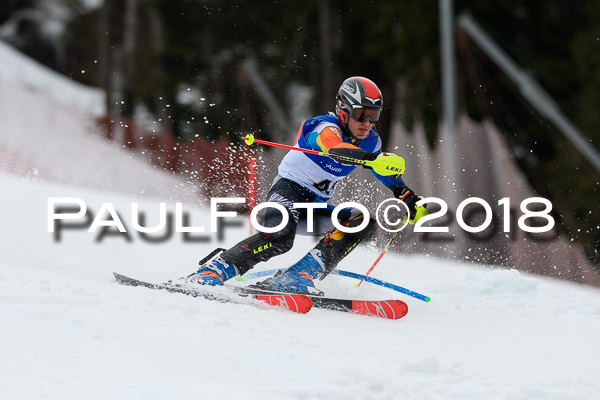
(311,178)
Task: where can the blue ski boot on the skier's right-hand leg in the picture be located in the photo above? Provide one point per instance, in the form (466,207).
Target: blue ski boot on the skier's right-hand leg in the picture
(298,278)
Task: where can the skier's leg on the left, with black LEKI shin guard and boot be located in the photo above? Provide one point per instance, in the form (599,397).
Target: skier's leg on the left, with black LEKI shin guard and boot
(261,246)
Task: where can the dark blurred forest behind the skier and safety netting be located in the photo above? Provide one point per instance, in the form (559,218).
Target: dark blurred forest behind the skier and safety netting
(186,64)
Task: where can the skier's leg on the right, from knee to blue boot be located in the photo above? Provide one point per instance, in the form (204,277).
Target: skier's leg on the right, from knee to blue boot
(323,258)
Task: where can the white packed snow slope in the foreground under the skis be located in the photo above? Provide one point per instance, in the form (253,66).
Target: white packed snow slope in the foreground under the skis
(68,331)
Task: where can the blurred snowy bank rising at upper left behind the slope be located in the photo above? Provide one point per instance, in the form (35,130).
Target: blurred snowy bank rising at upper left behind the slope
(48,130)
